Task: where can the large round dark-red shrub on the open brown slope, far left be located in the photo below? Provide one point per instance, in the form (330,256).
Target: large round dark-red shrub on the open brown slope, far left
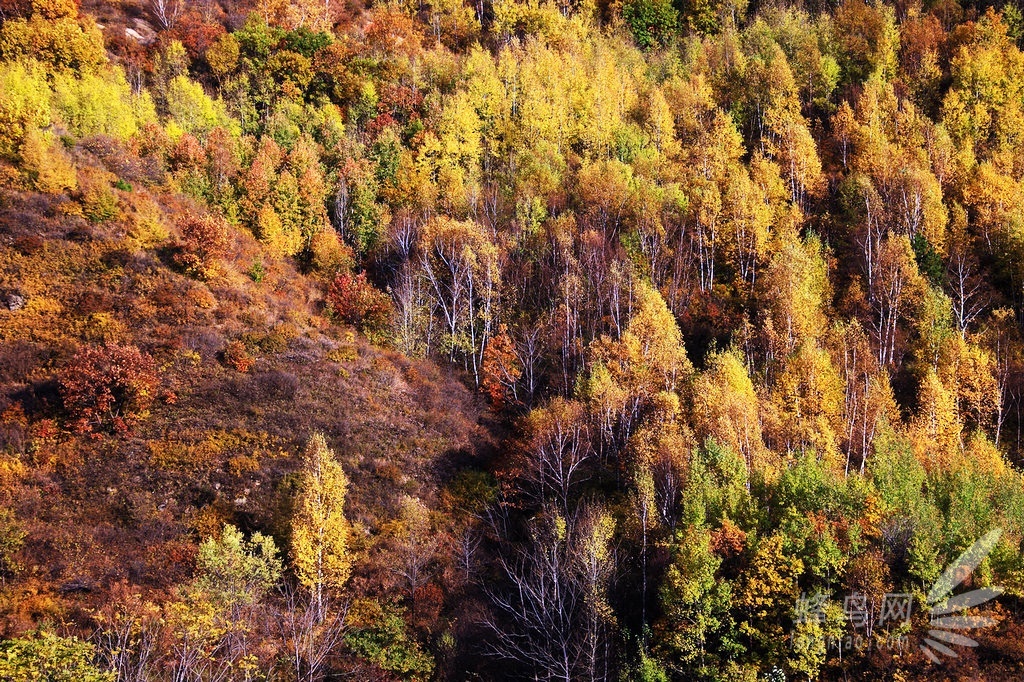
(109,389)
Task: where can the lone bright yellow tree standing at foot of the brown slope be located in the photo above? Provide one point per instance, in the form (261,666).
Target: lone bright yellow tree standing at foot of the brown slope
(320,532)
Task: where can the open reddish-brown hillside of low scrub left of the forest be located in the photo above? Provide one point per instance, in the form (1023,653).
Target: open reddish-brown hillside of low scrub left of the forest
(99,516)
